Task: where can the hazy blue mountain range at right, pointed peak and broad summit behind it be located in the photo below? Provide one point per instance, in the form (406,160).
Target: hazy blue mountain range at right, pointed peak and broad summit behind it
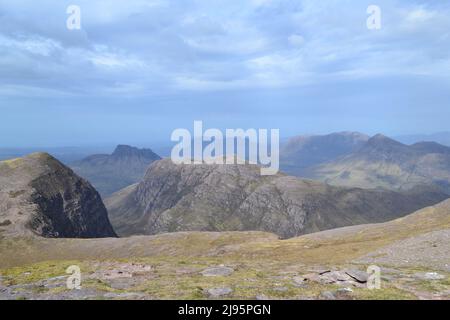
(355,160)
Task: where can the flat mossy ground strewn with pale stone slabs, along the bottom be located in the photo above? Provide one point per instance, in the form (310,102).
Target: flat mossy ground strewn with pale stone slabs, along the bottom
(206,279)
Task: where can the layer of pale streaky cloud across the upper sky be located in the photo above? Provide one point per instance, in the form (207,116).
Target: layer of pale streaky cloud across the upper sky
(141,47)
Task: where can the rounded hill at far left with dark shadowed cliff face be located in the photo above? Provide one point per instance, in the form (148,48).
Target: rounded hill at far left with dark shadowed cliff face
(40,195)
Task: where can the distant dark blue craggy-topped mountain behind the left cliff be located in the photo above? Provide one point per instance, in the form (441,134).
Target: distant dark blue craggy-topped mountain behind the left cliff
(110,173)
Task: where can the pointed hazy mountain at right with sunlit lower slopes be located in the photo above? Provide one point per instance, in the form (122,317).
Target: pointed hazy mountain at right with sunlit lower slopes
(385,163)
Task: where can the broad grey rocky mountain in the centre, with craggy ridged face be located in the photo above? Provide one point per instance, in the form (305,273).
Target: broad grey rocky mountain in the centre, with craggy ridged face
(237,198)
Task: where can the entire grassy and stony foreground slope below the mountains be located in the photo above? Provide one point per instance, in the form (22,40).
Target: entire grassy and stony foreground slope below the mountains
(412,252)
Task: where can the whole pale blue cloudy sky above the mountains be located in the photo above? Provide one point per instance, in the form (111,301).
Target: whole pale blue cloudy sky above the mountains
(139,69)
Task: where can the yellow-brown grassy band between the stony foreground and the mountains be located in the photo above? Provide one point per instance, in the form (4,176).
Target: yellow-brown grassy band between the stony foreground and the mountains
(350,243)
